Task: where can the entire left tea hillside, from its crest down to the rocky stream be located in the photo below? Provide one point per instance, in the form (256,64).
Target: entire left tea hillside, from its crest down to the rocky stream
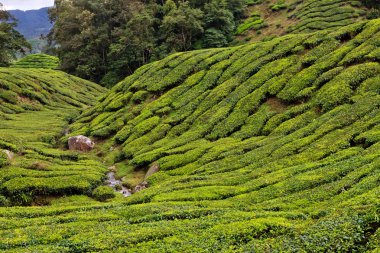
(36,106)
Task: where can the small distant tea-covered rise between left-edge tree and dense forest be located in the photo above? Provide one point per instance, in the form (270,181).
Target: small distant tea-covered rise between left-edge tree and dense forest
(37,61)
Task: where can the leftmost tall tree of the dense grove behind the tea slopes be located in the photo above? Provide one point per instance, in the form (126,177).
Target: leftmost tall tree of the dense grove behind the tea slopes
(81,33)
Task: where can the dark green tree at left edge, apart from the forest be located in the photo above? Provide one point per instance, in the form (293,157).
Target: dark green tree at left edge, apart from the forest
(11,41)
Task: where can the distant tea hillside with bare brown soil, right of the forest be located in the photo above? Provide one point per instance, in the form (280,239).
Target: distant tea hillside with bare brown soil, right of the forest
(279,17)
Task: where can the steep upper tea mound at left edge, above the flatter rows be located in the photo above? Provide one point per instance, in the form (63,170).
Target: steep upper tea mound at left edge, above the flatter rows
(33,89)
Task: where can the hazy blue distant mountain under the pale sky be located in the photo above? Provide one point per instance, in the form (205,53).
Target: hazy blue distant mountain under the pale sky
(32,23)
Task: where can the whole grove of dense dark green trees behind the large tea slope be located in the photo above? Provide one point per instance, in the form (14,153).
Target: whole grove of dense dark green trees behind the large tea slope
(106,40)
